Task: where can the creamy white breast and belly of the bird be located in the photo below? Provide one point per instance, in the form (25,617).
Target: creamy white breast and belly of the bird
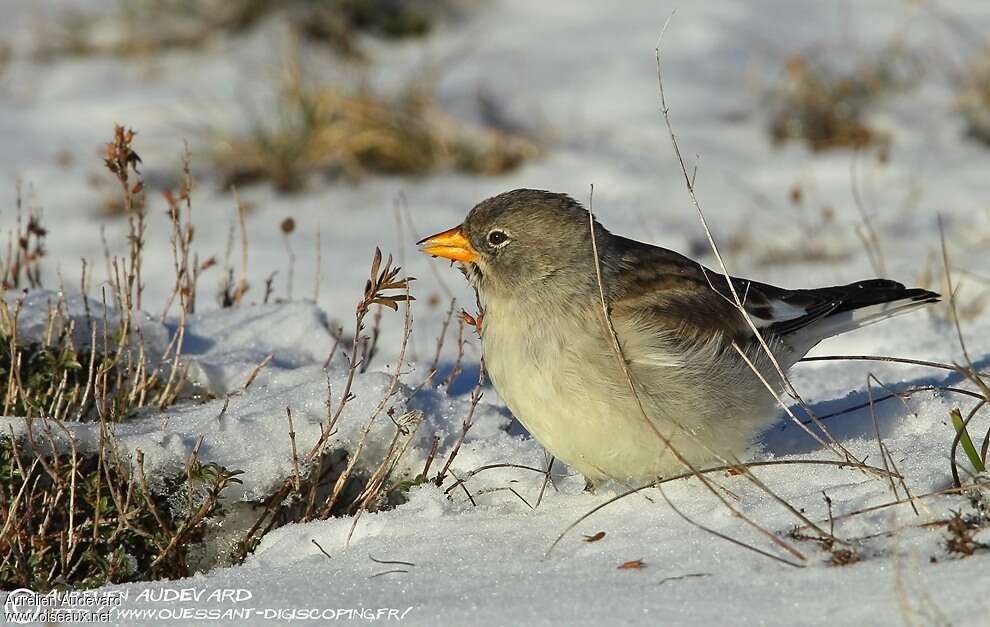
(562,381)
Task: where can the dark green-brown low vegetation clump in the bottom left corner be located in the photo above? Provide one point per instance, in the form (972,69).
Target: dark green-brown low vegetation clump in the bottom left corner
(85,520)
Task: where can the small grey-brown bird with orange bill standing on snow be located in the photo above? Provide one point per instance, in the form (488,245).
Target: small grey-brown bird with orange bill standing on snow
(550,353)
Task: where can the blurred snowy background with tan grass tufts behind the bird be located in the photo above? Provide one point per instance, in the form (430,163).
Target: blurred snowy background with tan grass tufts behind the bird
(826,137)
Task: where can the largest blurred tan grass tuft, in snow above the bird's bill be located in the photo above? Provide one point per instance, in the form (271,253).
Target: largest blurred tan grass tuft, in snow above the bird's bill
(333,132)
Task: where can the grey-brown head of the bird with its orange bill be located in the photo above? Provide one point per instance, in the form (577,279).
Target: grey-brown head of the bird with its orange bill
(517,240)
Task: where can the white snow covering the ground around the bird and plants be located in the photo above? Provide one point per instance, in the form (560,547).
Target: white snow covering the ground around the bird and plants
(587,72)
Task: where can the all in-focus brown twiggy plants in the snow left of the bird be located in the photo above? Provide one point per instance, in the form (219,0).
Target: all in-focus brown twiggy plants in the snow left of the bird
(86,516)
